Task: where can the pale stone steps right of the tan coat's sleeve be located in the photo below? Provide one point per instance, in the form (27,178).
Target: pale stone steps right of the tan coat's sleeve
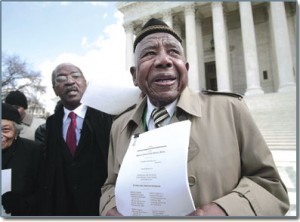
(275,116)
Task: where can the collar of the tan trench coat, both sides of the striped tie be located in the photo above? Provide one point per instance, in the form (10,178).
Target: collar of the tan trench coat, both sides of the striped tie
(189,102)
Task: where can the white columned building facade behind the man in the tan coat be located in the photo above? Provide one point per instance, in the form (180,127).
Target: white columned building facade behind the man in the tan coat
(243,47)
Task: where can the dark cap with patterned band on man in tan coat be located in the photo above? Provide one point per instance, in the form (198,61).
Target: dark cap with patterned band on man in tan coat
(153,26)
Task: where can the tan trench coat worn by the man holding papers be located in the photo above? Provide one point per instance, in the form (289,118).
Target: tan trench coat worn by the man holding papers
(229,162)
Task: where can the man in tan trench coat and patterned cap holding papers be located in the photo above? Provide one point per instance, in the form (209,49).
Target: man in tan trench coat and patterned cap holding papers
(231,171)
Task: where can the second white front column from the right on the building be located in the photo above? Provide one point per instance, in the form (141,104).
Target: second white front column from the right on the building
(250,52)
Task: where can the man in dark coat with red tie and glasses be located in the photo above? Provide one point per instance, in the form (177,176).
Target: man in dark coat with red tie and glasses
(73,182)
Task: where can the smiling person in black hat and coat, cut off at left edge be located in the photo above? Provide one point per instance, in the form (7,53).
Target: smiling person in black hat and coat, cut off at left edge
(24,158)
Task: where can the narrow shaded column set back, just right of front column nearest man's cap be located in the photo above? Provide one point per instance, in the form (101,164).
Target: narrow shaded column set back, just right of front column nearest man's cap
(200,52)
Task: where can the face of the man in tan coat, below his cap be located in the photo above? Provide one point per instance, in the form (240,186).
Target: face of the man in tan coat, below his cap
(161,70)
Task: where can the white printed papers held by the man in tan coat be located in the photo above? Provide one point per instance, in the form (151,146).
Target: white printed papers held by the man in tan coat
(153,177)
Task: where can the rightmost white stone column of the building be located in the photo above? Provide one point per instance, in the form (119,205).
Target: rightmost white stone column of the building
(282,47)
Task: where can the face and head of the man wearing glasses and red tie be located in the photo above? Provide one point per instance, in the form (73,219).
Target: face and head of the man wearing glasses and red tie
(69,85)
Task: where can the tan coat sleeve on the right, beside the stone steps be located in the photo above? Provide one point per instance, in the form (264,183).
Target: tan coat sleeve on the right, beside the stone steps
(260,191)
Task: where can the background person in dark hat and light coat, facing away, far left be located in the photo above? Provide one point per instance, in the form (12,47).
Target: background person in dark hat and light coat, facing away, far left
(29,123)
